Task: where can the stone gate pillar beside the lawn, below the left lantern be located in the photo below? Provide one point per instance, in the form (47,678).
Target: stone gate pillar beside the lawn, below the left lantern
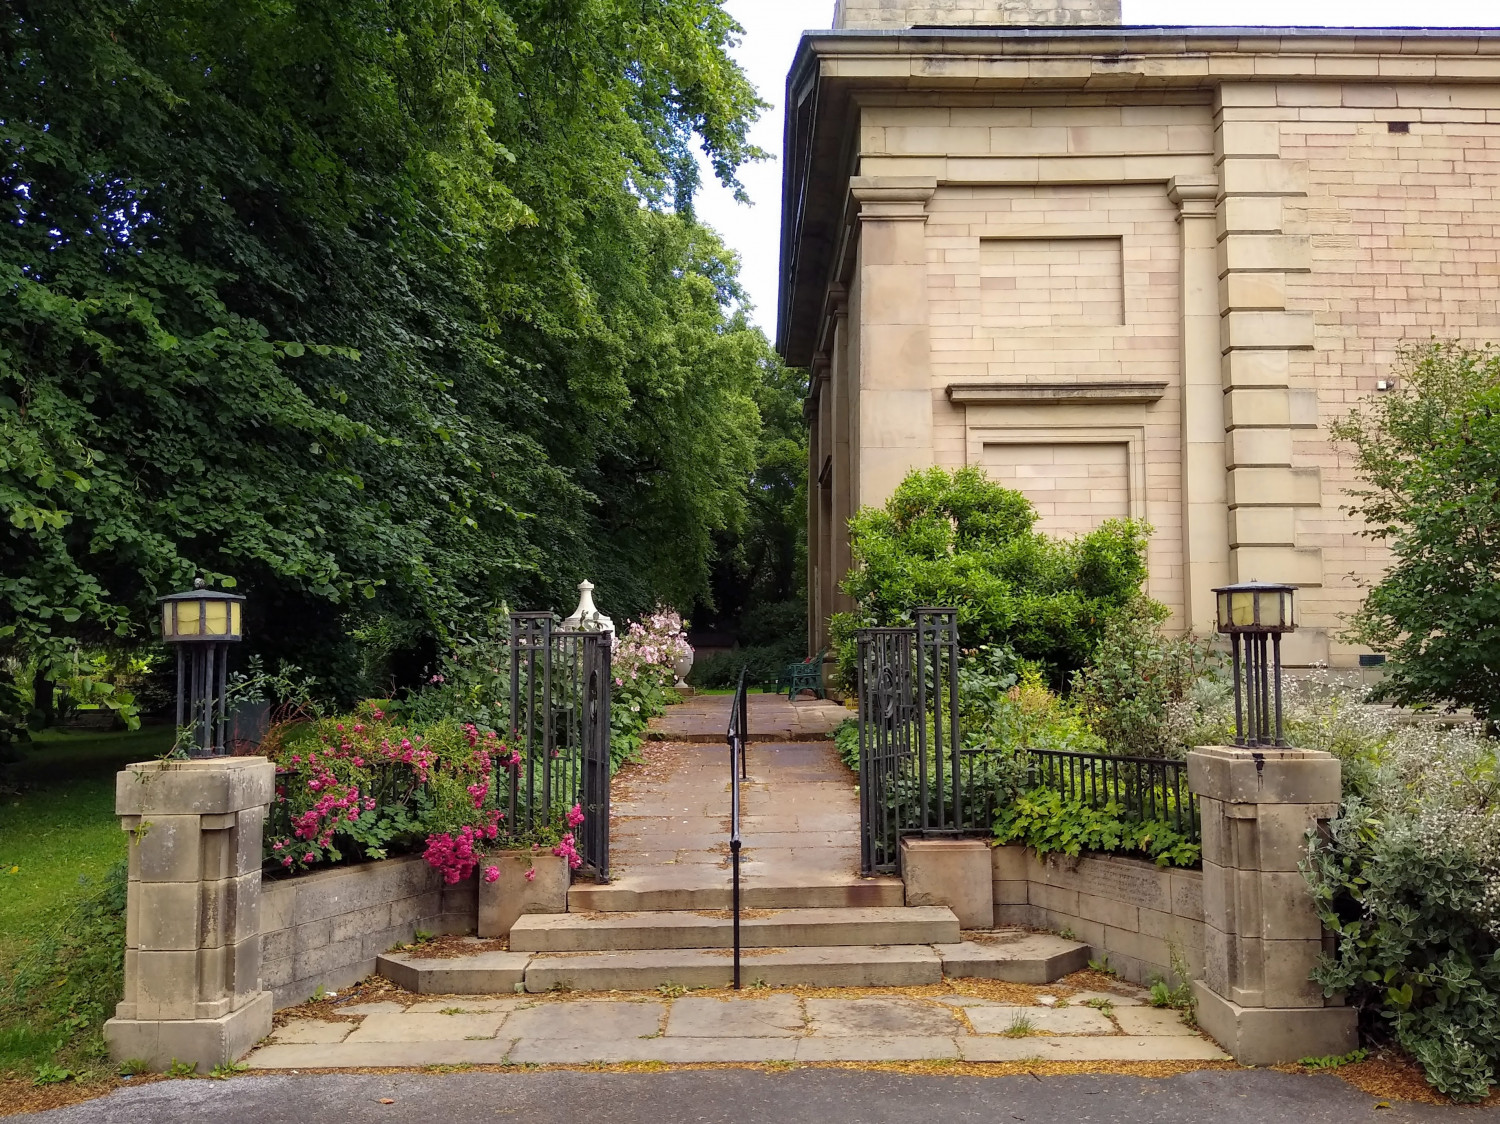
(193,961)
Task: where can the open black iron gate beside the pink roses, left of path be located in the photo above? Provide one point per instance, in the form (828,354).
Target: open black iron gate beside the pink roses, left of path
(560,694)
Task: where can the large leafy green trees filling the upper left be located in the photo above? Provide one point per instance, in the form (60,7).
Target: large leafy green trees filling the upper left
(386,311)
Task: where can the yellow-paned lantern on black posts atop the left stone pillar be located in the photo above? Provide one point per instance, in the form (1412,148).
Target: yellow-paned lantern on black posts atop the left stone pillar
(202,625)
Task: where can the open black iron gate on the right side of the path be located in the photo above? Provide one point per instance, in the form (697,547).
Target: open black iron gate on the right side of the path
(916,777)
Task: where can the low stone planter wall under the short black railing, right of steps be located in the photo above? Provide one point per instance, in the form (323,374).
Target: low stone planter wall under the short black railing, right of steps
(1127,910)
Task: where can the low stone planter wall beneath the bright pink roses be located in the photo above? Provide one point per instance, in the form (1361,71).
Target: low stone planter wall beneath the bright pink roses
(328,928)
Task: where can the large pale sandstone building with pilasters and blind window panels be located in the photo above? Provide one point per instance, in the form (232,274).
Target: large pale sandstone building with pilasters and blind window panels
(1129,271)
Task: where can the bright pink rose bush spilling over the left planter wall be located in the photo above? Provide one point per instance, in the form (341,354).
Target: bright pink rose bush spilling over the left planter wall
(367,787)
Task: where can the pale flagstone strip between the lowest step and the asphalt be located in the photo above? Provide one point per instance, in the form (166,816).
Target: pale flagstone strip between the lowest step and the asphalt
(755,1027)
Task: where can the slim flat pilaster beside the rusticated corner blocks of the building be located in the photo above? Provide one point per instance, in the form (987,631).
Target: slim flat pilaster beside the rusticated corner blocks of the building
(1205,497)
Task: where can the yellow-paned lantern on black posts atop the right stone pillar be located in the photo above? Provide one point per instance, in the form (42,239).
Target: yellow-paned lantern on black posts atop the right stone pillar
(1255,616)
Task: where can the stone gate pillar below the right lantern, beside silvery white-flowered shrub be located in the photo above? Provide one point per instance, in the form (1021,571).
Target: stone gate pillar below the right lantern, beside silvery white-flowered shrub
(1262,933)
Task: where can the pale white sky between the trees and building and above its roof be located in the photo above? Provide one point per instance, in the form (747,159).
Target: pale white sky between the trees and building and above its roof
(775,26)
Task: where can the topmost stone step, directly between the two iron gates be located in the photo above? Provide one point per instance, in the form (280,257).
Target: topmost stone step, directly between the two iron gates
(640,895)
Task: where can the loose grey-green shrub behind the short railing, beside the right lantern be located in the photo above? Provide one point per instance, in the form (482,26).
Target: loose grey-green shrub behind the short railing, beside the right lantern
(1138,693)
